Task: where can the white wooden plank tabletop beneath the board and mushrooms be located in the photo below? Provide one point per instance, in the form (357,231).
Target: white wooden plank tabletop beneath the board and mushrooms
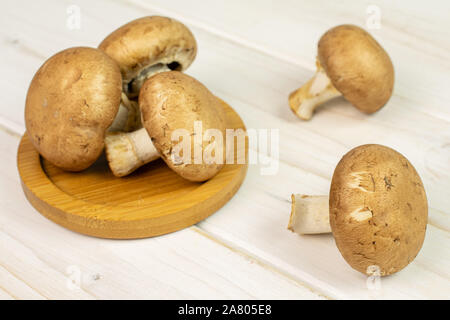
(252,54)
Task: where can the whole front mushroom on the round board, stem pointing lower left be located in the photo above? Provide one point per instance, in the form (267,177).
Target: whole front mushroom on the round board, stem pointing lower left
(171,104)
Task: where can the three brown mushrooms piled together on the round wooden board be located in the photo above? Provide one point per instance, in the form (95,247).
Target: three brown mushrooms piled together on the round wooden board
(125,97)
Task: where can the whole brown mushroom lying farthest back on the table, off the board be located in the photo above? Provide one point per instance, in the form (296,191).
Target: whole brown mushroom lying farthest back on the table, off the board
(350,63)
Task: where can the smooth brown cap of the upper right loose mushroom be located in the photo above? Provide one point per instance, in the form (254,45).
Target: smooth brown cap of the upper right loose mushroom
(357,66)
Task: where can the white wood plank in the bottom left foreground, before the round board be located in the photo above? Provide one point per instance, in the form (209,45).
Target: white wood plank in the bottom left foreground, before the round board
(38,259)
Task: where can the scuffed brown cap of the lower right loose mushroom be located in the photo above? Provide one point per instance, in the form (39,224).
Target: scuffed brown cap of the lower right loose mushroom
(378,209)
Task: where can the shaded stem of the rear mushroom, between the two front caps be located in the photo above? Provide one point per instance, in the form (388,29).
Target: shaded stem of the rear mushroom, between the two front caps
(128,117)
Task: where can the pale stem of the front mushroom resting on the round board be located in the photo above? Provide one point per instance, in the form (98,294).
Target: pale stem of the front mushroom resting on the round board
(127,151)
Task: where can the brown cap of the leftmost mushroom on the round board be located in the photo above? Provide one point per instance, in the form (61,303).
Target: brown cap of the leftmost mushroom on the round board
(72,100)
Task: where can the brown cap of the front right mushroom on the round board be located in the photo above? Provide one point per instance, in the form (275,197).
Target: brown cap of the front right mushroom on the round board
(172,100)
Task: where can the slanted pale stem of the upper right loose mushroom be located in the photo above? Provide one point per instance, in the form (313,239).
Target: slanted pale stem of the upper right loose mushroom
(315,92)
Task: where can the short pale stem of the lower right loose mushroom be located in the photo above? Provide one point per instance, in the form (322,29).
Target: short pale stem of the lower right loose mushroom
(309,214)
